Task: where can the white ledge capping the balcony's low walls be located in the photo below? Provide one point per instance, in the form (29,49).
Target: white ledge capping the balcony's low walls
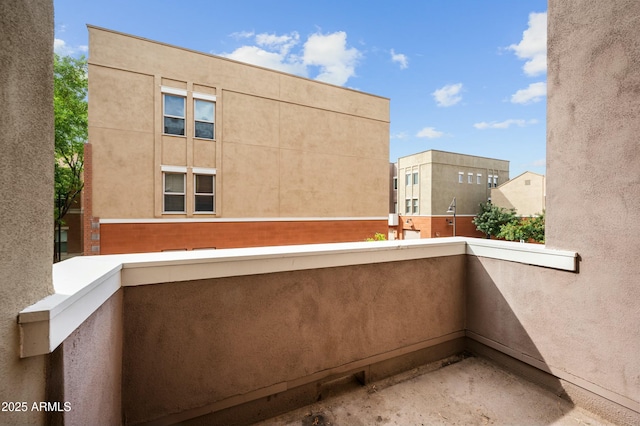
(83,284)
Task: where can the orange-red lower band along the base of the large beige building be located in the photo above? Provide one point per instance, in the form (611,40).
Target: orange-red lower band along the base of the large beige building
(150,237)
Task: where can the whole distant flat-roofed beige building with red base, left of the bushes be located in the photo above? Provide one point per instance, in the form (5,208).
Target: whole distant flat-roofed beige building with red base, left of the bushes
(429,181)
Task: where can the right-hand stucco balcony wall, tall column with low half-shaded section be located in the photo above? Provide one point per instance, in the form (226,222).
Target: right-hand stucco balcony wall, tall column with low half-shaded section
(584,325)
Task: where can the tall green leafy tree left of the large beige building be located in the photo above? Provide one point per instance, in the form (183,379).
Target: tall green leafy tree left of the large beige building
(70,111)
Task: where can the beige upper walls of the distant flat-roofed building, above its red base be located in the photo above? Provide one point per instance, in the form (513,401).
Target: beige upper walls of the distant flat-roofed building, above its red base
(438,181)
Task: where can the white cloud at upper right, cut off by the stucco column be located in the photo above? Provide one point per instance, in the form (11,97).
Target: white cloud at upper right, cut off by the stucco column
(533,46)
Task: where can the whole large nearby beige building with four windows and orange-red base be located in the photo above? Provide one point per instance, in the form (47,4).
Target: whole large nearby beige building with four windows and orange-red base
(192,151)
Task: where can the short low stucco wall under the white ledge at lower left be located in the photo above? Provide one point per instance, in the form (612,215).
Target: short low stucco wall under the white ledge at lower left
(85,371)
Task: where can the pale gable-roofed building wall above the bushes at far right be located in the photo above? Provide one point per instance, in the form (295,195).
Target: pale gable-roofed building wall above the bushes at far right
(525,194)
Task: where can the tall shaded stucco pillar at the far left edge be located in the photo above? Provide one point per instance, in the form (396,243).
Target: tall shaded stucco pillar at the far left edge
(26,173)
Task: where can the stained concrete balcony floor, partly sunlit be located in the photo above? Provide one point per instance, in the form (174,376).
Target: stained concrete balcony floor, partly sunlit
(473,391)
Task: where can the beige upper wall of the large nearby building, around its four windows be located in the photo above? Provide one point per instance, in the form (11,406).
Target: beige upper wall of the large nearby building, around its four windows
(284,146)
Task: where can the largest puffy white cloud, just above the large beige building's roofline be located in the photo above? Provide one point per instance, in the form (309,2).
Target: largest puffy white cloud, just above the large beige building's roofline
(336,62)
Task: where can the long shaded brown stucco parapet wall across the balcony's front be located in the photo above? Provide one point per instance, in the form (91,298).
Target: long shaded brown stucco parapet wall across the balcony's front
(190,344)
